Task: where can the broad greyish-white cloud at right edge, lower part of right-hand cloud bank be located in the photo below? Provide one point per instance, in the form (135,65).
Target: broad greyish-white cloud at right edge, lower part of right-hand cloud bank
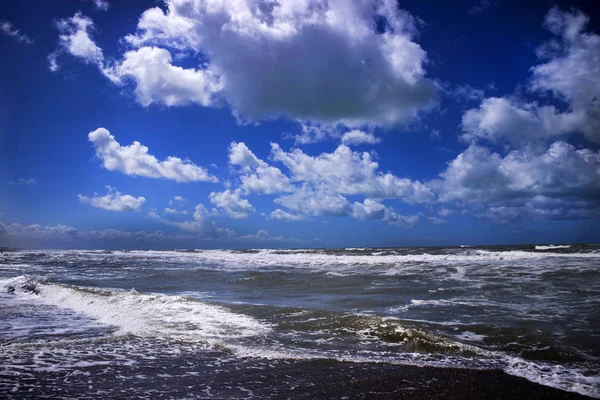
(478,176)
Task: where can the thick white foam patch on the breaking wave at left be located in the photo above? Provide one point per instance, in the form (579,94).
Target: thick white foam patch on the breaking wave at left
(154,315)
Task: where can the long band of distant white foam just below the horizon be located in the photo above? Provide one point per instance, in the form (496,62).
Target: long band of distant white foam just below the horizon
(337,263)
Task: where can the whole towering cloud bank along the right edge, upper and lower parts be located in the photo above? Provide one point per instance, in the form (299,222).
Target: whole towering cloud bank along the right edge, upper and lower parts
(541,176)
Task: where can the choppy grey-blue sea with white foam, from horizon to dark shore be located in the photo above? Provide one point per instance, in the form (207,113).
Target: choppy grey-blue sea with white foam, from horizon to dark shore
(143,316)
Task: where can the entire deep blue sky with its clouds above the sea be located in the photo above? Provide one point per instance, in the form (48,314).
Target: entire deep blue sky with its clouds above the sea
(304,123)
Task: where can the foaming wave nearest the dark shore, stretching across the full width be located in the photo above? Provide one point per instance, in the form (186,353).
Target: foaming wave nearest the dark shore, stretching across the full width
(302,334)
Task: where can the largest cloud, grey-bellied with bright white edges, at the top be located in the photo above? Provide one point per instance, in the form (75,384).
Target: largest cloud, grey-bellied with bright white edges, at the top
(353,70)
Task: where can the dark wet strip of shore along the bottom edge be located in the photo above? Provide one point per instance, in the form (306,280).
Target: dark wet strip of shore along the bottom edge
(279,379)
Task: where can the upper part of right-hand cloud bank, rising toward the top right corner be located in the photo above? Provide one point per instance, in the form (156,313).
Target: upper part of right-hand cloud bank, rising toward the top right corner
(569,75)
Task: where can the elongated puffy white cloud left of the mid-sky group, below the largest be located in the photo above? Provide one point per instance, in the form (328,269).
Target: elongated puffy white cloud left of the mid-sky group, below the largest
(135,160)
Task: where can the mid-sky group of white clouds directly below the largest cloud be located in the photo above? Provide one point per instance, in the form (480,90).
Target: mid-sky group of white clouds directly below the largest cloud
(318,185)
